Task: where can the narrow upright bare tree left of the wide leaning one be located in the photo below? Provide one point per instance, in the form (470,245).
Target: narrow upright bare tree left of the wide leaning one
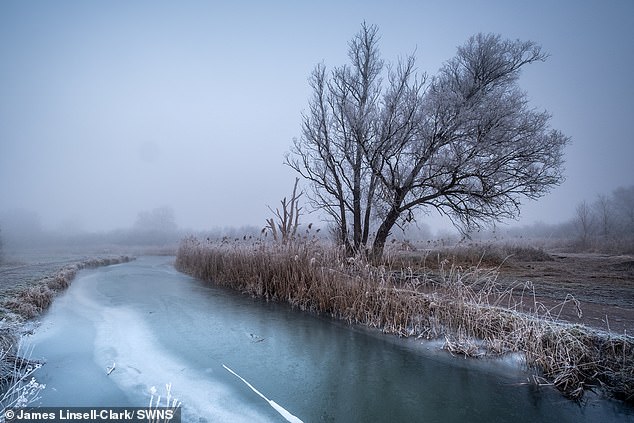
(336,131)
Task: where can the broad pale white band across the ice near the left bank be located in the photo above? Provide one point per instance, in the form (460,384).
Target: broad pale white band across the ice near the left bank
(123,336)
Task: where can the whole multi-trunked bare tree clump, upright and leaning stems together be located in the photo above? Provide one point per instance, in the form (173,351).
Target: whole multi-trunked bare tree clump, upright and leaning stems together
(380,143)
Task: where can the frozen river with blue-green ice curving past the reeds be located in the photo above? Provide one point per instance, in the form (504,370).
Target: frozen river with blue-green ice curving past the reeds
(231,358)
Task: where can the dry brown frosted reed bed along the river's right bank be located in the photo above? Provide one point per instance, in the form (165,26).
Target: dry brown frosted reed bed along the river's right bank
(464,305)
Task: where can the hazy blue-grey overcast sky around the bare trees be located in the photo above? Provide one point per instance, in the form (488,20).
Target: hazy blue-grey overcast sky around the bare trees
(110,108)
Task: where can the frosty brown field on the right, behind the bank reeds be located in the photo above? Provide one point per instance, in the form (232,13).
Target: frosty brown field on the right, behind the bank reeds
(599,288)
